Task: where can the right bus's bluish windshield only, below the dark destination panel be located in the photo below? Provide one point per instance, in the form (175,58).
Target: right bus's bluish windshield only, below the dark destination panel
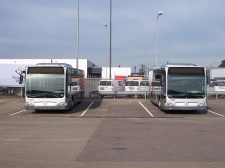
(186,86)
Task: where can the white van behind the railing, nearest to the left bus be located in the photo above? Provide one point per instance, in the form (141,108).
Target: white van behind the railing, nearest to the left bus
(109,87)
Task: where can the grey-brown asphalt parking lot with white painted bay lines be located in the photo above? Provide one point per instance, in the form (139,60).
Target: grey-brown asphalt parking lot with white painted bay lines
(111,133)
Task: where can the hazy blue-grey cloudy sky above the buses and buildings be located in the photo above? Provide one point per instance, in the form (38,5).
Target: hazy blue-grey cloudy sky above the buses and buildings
(189,31)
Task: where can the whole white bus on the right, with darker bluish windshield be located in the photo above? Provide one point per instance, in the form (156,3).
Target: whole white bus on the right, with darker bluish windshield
(182,87)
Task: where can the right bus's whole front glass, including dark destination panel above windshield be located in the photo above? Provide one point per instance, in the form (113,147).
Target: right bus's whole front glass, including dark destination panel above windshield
(188,82)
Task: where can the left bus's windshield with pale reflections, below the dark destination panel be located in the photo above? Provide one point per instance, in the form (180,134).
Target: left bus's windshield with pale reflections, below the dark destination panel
(45,85)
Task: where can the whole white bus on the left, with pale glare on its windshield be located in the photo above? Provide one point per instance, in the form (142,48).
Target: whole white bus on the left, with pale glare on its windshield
(53,86)
